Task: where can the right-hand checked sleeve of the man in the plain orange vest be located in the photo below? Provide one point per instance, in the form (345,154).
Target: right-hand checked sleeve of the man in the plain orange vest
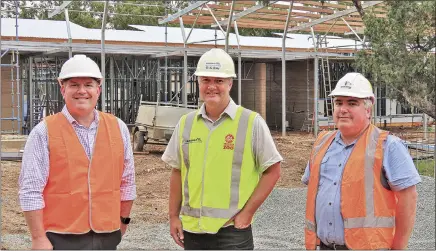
(128,184)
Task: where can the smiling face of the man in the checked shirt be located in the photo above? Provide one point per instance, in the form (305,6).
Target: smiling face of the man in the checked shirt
(80,94)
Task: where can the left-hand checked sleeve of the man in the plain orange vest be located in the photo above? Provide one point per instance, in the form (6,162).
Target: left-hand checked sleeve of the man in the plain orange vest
(34,169)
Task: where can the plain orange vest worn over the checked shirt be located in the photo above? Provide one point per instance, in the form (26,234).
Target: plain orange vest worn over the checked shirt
(83,194)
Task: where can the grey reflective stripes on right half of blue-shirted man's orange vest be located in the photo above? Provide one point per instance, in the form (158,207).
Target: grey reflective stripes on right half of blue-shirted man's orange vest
(370,220)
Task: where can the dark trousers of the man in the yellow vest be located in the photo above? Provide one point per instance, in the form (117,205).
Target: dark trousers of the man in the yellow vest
(226,238)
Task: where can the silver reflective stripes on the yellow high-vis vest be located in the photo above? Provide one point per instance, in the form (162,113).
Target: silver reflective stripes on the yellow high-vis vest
(236,170)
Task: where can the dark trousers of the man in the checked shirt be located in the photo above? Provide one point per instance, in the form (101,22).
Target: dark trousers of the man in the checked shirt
(90,240)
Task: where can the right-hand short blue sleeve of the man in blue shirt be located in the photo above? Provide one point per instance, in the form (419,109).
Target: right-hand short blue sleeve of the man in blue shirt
(398,164)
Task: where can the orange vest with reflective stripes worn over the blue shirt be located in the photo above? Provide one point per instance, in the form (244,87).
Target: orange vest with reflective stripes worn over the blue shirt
(368,209)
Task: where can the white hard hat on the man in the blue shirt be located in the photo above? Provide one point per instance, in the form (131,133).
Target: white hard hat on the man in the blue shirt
(353,84)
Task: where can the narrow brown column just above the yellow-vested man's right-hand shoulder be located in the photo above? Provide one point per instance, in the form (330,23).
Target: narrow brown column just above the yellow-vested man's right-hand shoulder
(260,89)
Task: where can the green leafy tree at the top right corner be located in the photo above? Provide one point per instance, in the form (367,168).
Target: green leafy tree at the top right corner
(401,52)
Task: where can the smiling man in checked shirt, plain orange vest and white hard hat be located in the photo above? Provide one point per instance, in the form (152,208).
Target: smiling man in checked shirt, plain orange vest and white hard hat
(77,181)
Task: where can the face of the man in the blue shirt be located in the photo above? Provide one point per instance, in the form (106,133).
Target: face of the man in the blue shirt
(350,114)
